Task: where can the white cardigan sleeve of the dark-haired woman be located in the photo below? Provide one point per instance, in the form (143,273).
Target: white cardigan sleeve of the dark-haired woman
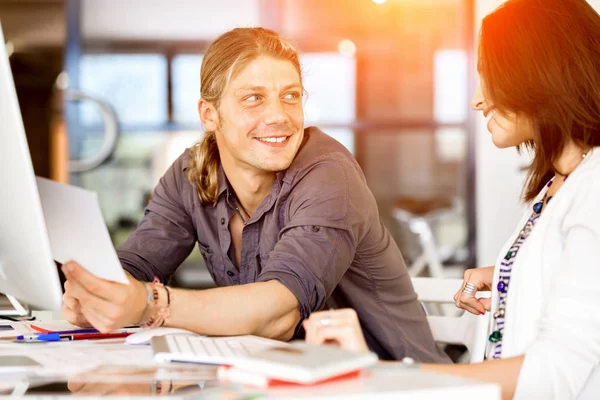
(567,348)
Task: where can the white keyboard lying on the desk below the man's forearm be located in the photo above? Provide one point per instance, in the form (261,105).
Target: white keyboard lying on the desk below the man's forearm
(208,350)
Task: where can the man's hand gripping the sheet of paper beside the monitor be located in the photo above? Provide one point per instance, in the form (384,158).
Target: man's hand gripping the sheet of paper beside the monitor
(105,305)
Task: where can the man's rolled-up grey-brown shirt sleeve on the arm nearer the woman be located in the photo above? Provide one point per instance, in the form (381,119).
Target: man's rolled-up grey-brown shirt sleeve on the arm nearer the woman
(316,247)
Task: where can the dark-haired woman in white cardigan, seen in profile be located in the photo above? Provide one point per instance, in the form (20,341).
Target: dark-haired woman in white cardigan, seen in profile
(539,63)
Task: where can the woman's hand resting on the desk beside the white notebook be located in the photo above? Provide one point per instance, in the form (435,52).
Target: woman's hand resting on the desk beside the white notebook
(340,327)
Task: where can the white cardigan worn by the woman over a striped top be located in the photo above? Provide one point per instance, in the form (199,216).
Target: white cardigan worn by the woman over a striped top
(553,304)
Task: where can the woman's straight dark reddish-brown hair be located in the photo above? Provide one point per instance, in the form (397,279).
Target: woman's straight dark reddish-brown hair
(541,59)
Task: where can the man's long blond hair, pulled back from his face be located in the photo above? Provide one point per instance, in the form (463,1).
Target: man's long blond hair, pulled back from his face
(225,58)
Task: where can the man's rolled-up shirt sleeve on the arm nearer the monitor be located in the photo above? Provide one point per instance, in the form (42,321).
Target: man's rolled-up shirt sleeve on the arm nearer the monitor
(165,236)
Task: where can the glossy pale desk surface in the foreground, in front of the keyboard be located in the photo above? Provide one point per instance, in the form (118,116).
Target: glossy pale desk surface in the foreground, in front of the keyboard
(379,382)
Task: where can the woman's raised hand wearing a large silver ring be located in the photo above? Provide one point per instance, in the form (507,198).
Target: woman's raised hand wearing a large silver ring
(481,278)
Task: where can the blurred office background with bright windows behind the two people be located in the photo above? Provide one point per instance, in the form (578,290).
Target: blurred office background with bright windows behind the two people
(391,80)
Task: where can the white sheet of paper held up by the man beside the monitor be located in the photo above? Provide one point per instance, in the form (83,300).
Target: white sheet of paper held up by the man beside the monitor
(77,230)
